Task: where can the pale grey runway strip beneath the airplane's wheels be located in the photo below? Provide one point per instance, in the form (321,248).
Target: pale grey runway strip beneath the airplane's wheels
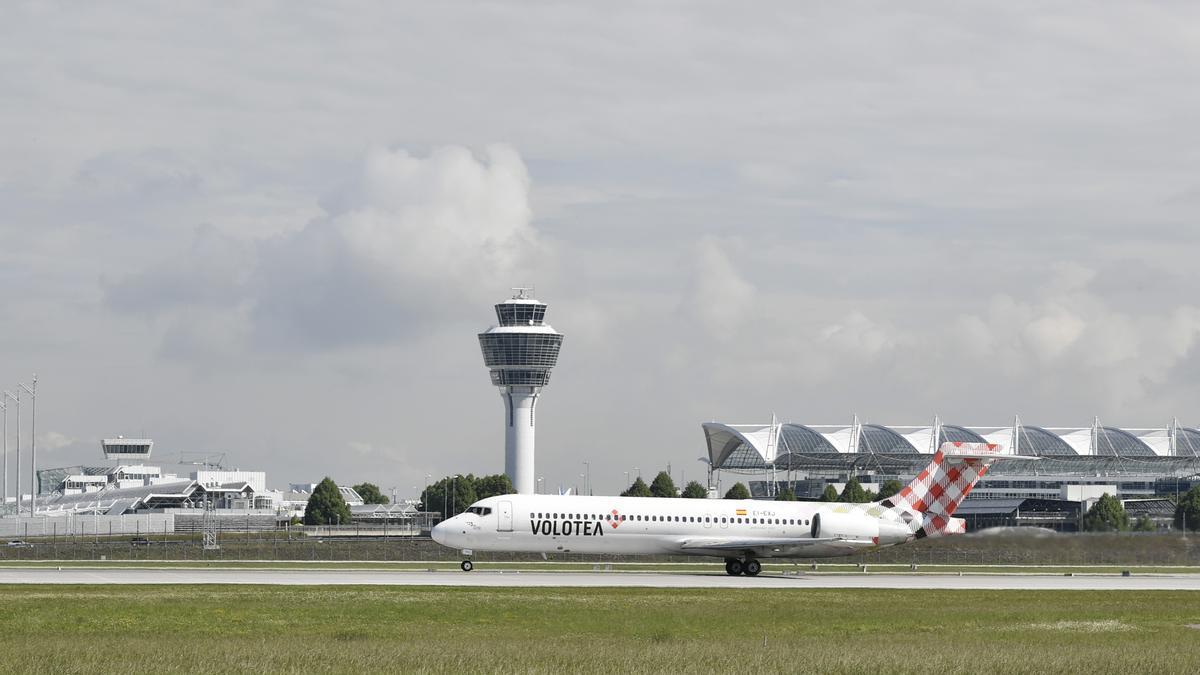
(593,580)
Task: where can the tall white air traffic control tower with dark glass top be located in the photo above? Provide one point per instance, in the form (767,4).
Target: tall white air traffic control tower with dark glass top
(520,353)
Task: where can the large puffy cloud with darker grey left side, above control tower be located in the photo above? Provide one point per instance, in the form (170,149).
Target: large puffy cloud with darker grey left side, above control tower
(407,242)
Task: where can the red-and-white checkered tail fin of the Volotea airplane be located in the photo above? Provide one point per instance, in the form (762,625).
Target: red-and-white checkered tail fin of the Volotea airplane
(941,487)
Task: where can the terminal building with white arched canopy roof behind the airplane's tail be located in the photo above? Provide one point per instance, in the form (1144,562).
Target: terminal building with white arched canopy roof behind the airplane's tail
(1129,463)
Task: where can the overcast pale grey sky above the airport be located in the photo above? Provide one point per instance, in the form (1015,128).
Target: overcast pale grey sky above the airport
(275,230)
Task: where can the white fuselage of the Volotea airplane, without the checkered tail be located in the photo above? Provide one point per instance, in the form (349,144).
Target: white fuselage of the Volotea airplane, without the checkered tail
(646,527)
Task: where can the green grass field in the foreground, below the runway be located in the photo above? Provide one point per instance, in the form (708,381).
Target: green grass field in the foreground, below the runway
(373,630)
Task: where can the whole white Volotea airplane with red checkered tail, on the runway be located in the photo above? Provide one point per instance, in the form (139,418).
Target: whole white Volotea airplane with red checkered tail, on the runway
(741,531)
